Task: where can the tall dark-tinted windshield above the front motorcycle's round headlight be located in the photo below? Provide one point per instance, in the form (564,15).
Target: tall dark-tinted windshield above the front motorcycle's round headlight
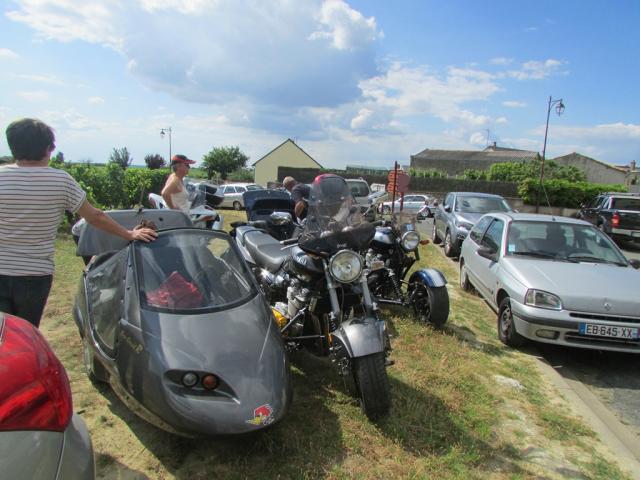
(334,221)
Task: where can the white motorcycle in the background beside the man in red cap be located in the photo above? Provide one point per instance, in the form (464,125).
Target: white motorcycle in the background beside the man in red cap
(203,198)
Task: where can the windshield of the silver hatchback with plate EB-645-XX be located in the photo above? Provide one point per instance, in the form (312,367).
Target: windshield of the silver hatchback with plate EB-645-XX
(562,241)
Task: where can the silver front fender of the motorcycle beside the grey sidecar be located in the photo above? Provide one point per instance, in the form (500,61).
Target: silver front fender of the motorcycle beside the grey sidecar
(361,336)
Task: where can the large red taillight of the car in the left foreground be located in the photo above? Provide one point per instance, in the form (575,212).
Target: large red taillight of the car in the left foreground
(34,387)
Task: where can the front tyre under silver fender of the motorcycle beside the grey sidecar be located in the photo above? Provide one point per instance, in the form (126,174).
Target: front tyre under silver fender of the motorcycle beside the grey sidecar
(372,383)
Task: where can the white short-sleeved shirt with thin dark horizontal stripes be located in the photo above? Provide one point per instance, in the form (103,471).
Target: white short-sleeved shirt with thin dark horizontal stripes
(32,202)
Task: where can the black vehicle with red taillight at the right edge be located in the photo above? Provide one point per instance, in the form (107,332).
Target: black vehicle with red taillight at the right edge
(616,214)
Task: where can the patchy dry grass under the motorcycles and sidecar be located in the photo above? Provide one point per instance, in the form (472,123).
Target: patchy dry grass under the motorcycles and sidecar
(449,417)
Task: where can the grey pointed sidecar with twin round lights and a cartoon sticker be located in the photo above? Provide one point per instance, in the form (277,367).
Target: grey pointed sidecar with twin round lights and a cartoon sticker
(178,328)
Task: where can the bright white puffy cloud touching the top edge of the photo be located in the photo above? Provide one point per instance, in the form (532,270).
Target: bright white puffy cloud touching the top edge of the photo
(345,27)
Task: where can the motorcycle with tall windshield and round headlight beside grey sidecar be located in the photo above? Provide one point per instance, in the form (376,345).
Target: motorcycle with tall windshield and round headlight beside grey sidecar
(317,286)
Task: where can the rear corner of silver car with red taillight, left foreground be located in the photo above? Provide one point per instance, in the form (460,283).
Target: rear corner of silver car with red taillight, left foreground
(40,435)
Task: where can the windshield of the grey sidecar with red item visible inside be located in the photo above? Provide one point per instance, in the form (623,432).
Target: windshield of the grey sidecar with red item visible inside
(191,270)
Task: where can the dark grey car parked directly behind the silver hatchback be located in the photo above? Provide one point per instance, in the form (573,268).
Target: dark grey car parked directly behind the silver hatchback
(457,214)
